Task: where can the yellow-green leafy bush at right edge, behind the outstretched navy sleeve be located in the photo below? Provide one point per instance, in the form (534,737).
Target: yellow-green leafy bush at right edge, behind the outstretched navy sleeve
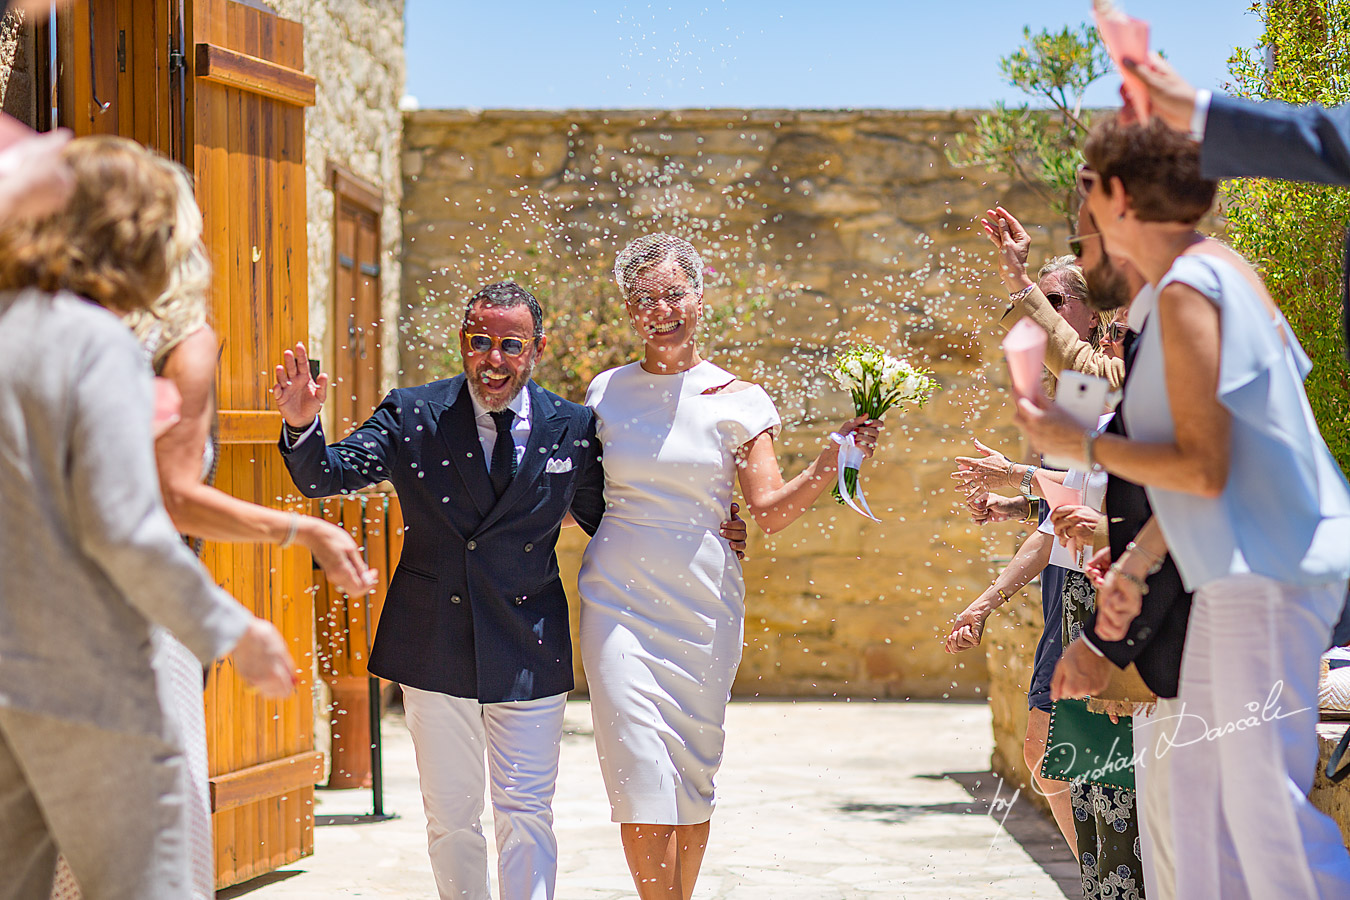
(1295,233)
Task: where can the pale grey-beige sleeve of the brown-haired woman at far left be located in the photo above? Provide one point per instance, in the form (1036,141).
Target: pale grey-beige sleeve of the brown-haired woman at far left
(119,519)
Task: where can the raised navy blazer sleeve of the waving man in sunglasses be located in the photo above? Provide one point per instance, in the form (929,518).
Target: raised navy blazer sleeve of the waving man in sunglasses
(367,457)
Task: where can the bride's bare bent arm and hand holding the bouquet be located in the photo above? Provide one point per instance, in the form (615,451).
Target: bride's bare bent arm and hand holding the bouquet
(776,504)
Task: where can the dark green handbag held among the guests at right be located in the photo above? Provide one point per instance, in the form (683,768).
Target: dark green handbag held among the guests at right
(1089,748)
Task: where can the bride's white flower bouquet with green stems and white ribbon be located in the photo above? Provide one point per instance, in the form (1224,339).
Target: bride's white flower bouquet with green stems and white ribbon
(877,383)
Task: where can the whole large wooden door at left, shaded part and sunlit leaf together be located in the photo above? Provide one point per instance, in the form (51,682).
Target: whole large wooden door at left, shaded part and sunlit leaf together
(221,87)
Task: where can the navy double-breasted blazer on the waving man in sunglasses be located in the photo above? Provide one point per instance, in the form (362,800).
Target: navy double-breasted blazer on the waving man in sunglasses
(476,608)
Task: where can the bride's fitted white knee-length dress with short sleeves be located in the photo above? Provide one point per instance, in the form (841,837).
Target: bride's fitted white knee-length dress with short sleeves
(664,600)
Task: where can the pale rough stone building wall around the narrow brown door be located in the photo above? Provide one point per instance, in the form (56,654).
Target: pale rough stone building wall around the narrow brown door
(356,51)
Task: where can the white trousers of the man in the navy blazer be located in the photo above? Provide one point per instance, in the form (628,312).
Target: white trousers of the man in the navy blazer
(522,741)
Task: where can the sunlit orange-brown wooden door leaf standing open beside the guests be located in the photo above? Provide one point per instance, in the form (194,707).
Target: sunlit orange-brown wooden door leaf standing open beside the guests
(245,113)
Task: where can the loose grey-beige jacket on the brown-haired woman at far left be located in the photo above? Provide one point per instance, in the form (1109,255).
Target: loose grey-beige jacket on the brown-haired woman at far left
(88,557)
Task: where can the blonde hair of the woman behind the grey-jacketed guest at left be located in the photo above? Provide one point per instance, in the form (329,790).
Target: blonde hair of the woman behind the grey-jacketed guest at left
(182,310)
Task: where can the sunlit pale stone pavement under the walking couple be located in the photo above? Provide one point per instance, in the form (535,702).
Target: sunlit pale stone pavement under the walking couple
(816,802)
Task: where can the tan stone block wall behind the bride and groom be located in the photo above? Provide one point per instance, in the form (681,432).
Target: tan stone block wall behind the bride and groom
(853,226)
